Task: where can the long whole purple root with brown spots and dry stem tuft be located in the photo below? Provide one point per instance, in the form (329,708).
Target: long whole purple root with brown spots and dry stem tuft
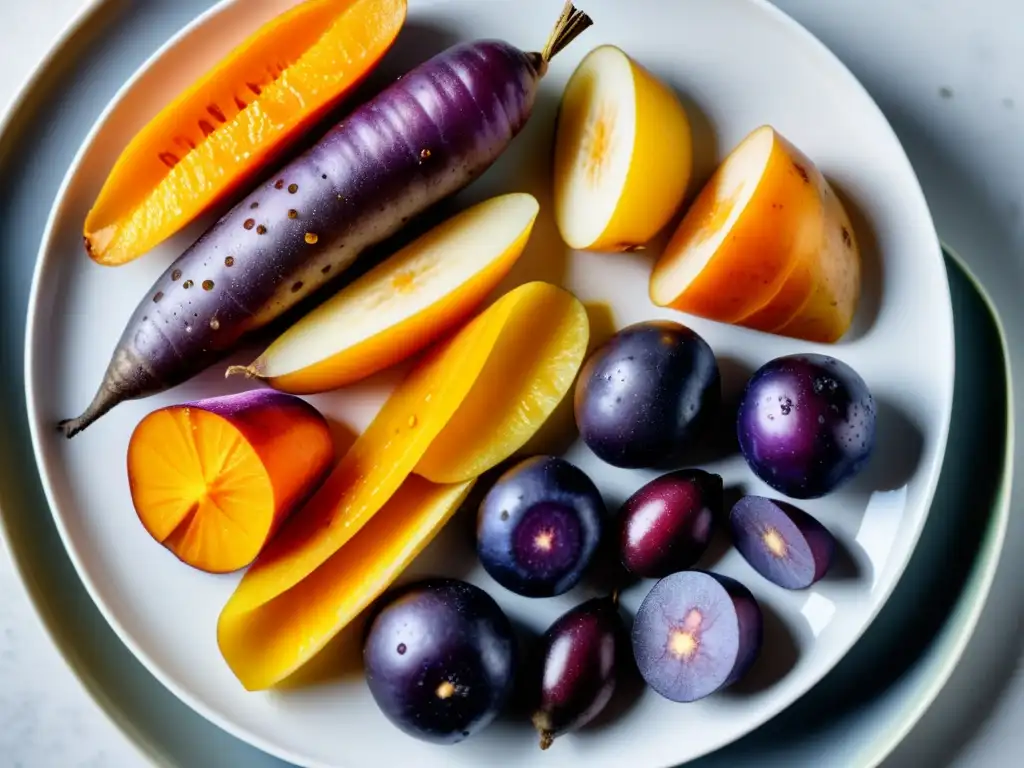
(417,143)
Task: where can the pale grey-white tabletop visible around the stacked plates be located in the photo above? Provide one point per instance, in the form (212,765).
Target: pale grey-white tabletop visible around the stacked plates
(950,75)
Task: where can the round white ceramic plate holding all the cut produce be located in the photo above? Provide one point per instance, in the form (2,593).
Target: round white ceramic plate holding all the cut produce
(739,64)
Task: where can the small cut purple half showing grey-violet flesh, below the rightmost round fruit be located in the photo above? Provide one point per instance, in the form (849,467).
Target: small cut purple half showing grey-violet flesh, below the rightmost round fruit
(808,545)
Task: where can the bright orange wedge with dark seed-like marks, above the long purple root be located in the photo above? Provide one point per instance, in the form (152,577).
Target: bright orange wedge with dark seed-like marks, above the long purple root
(220,133)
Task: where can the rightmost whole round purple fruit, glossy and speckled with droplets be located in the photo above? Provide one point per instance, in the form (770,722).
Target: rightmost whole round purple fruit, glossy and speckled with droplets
(806,424)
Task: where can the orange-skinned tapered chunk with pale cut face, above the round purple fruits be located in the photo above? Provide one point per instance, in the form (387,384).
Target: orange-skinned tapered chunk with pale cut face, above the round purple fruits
(758,223)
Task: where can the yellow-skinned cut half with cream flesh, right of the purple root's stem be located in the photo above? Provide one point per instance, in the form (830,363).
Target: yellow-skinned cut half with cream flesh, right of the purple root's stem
(624,154)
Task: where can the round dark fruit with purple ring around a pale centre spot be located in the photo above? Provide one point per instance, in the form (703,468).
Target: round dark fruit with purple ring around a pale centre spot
(539,527)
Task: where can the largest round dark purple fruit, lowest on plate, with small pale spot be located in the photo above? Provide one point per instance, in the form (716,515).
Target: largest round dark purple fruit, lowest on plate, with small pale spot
(441,660)
